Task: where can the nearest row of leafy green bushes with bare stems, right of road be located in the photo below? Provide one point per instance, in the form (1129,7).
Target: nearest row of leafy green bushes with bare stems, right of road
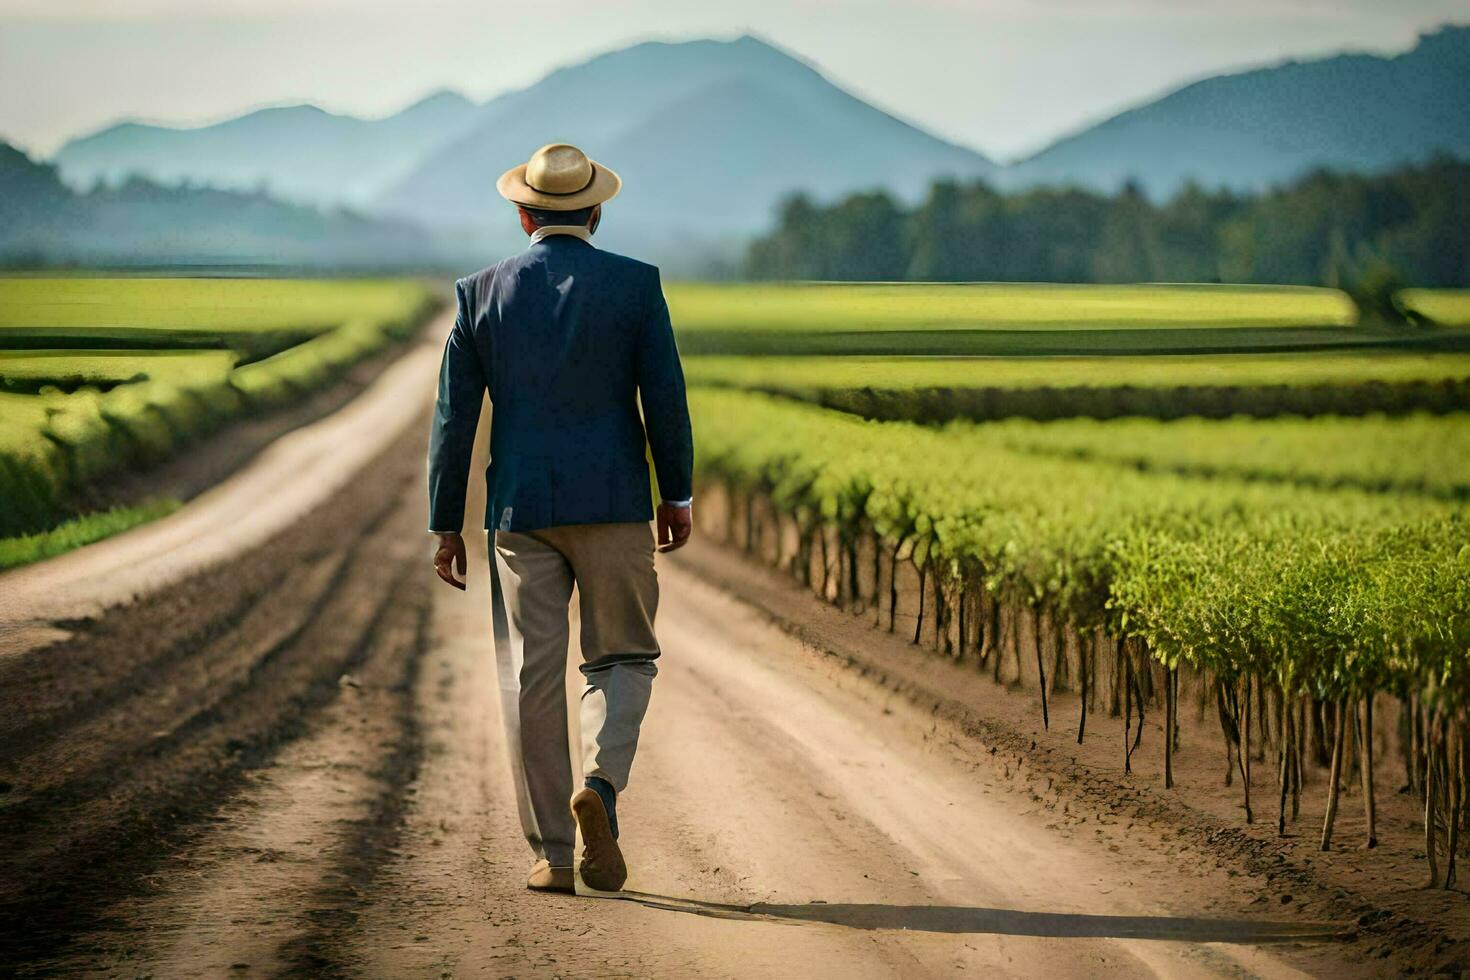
(1308,605)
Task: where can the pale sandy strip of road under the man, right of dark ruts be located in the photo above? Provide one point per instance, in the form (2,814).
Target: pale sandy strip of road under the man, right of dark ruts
(767,774)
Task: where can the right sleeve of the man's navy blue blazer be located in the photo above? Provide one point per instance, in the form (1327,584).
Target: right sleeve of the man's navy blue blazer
(667,411)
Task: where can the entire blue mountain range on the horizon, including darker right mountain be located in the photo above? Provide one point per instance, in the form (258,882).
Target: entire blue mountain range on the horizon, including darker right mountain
(712,134)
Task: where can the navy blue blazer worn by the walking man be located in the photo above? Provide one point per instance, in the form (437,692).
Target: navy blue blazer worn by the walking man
(567,339)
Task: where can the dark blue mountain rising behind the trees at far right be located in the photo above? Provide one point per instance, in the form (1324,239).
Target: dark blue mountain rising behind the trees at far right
(1261,129)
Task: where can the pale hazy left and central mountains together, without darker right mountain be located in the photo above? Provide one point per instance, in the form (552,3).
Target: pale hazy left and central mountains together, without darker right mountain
(789,129)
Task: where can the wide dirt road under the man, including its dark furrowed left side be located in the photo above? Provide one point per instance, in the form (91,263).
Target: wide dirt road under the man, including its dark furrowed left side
(293,765)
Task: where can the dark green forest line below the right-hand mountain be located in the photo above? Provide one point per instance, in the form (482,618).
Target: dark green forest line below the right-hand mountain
(1410,226)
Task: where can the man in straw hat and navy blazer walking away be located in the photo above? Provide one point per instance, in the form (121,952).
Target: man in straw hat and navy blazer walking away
(568,340)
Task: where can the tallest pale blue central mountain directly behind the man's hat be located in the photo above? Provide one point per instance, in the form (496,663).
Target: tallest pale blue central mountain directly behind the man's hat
(708,136)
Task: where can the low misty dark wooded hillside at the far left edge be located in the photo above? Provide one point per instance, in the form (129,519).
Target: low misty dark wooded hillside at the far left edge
(45,223)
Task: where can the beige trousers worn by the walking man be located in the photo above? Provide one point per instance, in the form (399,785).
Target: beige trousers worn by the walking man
(531,584)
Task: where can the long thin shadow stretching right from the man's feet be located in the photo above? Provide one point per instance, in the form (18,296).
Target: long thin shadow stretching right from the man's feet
(1003,922)
